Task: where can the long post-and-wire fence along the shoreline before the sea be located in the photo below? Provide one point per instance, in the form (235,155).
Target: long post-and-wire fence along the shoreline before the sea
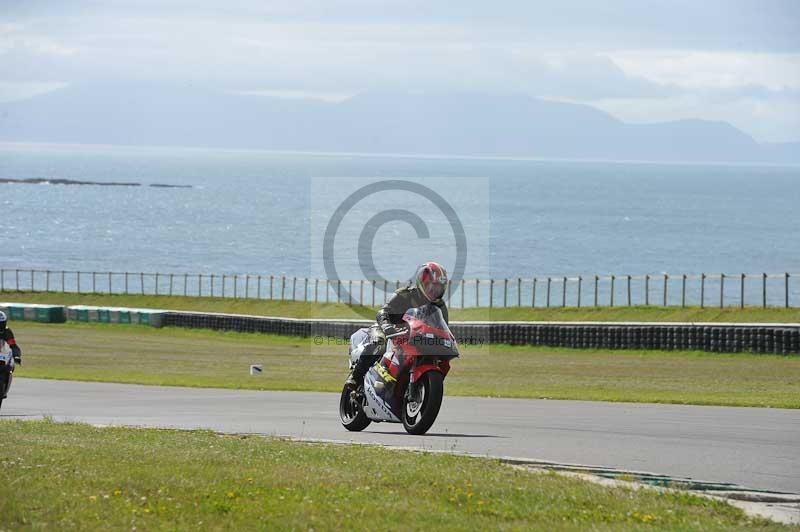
(703,290)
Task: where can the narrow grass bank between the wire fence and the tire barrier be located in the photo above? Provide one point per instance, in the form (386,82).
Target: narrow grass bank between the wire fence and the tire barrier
(298,309)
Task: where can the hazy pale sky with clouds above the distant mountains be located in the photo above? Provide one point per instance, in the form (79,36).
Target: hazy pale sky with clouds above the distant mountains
(640,60)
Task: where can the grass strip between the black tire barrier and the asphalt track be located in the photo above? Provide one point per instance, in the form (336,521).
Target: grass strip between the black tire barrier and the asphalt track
(187,357)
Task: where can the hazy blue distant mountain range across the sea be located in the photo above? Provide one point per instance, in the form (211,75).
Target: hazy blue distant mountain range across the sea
(374,122)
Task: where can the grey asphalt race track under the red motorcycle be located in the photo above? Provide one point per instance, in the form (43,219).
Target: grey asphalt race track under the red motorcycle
(754,447)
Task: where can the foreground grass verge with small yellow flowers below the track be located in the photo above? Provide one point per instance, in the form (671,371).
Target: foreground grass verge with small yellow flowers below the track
(78,477)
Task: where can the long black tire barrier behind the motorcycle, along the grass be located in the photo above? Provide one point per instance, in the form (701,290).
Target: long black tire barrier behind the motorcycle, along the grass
(714,337)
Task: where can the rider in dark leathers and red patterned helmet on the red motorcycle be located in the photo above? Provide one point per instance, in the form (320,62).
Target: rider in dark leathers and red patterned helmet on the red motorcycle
(429,285)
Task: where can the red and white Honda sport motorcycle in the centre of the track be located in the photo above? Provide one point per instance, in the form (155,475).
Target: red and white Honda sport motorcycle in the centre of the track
(407,384)
